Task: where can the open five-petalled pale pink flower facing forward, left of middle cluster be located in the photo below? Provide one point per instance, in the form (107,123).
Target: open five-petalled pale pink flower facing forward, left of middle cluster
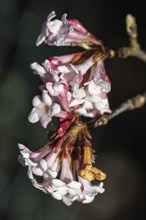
(44,109)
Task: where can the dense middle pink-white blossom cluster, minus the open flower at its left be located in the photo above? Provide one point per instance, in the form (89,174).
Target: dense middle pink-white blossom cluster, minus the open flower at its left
(80,88)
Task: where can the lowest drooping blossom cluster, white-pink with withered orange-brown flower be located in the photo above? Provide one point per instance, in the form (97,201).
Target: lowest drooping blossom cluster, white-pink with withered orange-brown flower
(62,168)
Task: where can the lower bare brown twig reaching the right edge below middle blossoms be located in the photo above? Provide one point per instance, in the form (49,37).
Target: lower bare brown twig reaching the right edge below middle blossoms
(131,104)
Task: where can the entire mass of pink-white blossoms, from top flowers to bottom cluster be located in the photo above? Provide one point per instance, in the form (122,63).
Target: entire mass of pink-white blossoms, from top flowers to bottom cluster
(73,85)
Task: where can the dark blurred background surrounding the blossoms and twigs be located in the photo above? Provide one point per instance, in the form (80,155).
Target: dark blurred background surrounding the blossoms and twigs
(120,146)
